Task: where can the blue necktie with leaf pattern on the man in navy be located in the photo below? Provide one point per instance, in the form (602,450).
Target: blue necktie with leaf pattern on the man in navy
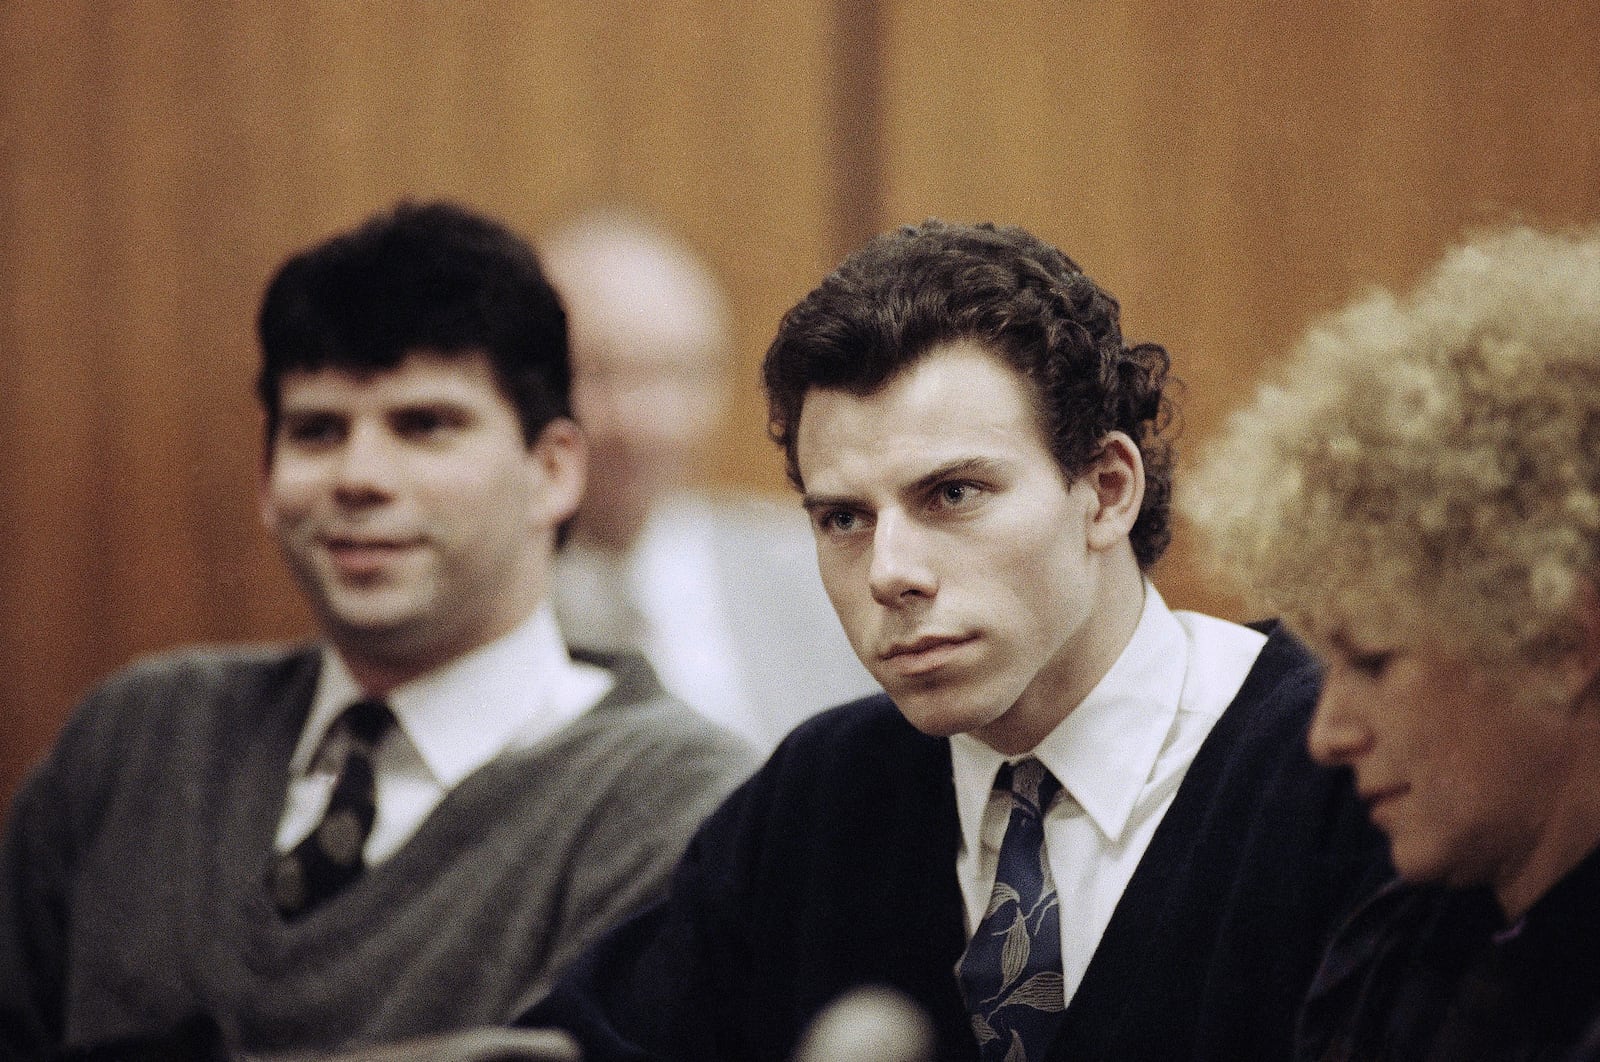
(1010,975)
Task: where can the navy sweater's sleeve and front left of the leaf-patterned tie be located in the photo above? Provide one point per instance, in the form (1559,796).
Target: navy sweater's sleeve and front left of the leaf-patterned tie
(788,896)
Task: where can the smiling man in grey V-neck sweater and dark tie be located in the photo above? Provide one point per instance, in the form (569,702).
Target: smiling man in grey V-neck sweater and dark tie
(417,821)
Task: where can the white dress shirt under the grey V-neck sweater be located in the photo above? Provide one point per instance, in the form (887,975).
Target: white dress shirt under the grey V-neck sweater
(506,695)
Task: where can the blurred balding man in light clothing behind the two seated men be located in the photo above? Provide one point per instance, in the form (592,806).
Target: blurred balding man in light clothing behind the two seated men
(721,594)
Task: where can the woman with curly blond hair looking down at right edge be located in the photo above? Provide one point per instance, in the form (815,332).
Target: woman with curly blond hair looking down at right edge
(1420,497)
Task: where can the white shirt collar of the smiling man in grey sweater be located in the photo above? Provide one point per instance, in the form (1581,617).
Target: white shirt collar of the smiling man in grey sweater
(518,690)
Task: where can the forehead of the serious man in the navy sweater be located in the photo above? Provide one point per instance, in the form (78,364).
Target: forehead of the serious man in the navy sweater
(956,404)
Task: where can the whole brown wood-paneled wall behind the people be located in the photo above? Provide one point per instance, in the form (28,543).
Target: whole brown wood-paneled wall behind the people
(1226,167)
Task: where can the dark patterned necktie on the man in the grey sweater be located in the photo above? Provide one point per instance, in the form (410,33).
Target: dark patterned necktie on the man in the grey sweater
(330,858)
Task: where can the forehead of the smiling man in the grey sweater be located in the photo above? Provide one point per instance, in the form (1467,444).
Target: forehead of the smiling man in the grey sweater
(422,377)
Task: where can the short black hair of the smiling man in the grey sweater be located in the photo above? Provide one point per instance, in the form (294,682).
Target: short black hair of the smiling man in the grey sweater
(420,277)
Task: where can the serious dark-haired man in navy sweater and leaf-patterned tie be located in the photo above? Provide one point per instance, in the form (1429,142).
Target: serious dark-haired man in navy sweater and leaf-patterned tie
(1078,826)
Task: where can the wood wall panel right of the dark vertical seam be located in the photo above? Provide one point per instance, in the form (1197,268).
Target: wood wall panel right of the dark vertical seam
(1233,169)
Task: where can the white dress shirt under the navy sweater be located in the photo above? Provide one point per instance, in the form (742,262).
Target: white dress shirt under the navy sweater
(1121,757)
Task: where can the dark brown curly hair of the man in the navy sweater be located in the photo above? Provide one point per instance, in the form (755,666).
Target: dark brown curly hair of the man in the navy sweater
(927,285)
